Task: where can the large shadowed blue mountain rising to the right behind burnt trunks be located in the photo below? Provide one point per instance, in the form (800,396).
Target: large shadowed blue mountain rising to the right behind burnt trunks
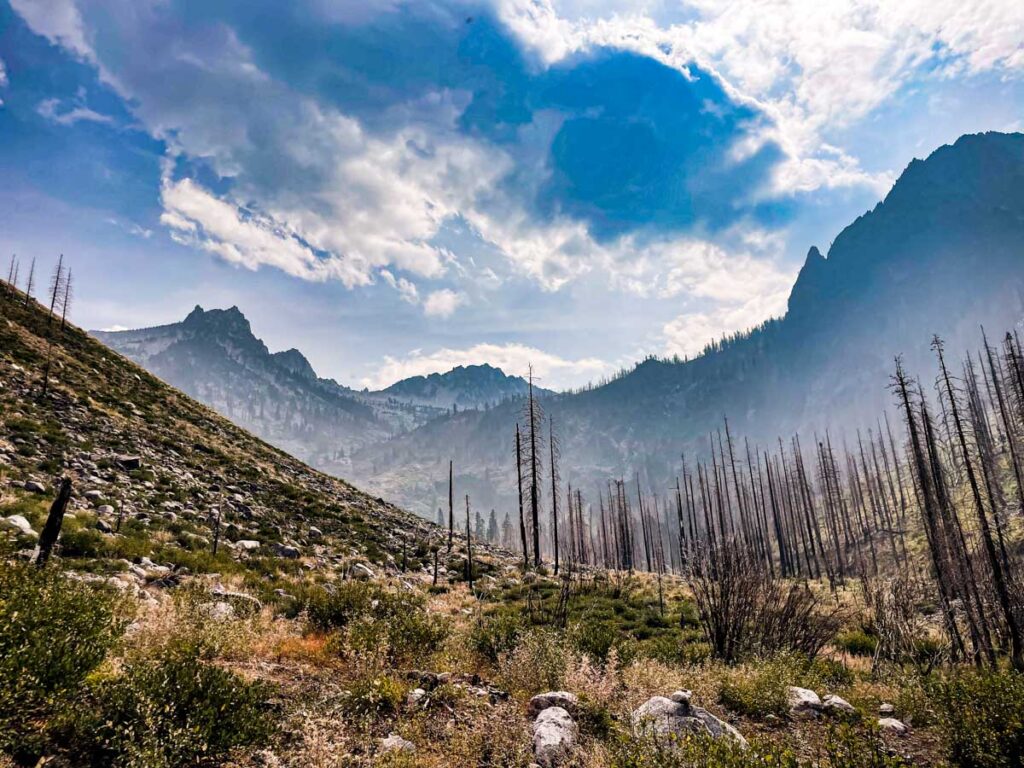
(943,254)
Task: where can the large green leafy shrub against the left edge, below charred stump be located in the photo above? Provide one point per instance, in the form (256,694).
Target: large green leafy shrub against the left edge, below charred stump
(54,632)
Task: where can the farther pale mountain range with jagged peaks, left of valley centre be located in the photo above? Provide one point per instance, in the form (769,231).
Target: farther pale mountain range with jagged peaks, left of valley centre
(215,357)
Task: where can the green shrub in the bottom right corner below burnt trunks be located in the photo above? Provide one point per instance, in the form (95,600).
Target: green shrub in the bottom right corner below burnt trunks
(983,715)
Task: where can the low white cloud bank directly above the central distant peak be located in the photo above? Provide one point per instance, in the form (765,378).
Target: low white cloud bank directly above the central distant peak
(550,371)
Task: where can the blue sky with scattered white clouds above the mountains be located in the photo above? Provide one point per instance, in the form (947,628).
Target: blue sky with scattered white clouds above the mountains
(399,188)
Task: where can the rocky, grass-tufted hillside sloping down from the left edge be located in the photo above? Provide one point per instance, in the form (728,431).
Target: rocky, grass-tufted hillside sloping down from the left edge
(147,455)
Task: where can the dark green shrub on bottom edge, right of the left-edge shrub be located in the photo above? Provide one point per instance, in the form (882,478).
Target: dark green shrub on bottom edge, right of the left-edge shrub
(170,711)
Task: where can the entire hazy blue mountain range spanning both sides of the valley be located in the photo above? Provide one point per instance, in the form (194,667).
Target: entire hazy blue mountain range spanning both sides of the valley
(944,253)
